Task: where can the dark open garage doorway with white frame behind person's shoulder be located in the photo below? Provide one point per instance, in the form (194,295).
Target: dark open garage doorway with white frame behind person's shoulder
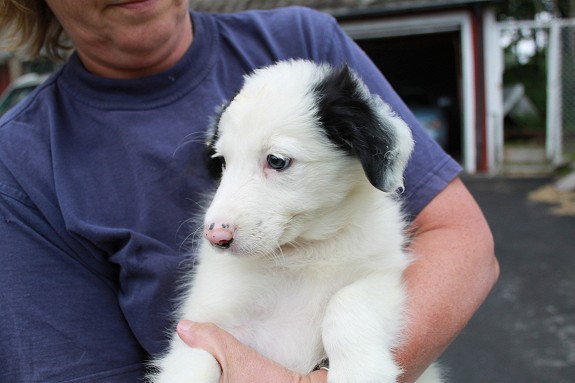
(426,72)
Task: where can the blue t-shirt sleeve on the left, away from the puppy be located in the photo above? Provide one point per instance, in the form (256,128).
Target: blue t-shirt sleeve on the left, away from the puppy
(60,320)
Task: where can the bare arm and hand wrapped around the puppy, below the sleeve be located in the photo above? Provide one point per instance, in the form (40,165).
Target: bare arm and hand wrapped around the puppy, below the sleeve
(455,270)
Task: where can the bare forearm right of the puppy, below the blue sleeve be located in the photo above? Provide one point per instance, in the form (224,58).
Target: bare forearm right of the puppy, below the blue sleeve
(454,270)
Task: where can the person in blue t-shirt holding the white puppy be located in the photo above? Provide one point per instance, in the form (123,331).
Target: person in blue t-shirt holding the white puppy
(102,166)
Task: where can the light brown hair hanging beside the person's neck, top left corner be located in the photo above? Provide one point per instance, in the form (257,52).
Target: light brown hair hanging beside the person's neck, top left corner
(30,27)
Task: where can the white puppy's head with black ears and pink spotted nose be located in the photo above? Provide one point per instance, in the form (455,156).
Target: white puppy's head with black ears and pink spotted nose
(292,146)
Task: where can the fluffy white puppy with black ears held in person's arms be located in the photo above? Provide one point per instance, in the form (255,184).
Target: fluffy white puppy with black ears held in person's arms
(305,238)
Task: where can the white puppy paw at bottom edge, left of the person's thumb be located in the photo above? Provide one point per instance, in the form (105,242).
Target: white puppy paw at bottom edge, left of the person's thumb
(187,365)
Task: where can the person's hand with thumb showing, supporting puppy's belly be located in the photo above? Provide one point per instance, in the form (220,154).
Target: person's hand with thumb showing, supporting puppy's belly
(239,363)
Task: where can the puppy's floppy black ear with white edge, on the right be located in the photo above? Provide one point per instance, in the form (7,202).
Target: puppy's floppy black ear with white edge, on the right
(363,125)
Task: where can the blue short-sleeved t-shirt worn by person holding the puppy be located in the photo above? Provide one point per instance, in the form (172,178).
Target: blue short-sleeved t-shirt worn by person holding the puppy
(99,178)
